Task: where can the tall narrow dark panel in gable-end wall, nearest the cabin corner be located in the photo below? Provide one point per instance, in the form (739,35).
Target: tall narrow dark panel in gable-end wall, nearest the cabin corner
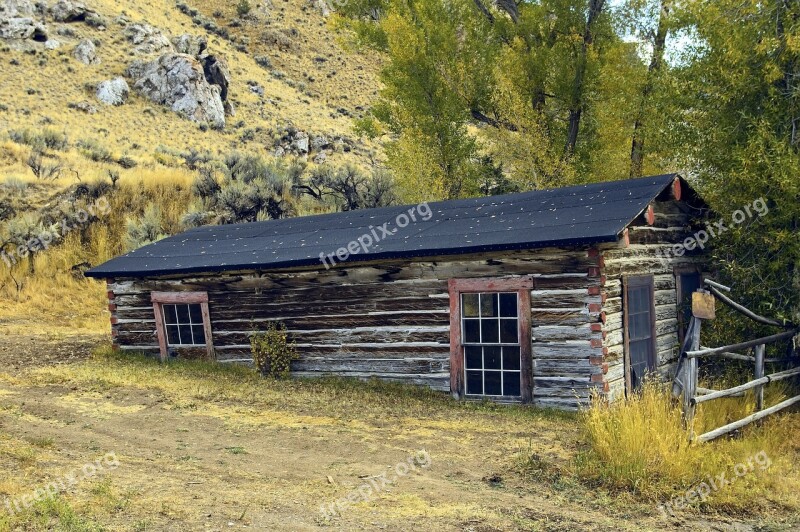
(640,338)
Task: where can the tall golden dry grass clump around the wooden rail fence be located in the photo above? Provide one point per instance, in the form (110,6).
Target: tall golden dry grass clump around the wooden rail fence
(640,446)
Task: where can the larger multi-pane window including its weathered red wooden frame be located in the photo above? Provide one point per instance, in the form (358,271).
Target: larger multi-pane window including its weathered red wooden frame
(490,338)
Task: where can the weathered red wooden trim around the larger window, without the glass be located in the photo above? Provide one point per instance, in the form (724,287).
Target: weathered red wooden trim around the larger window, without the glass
(522,286)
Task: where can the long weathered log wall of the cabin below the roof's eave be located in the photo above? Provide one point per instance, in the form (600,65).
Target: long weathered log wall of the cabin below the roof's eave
(390,319)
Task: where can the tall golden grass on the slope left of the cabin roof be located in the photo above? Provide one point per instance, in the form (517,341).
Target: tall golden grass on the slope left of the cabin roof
(52,291)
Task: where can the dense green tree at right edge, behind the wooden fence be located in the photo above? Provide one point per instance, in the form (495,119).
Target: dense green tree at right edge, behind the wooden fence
(735,128)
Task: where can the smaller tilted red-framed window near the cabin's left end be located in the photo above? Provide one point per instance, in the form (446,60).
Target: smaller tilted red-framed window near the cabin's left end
(182,321)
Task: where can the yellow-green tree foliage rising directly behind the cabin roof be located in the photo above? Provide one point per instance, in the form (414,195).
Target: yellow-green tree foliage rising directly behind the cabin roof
(470,87)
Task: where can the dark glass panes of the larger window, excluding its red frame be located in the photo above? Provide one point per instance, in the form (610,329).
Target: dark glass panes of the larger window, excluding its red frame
(490,337)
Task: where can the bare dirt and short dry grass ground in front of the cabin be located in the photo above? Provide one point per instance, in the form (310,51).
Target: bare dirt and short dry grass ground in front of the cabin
(215,465)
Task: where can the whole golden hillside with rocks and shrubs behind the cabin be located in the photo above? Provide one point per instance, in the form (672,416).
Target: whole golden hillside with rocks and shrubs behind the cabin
(268,88)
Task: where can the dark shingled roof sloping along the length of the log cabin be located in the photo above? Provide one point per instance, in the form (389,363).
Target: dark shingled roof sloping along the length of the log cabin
(570,216)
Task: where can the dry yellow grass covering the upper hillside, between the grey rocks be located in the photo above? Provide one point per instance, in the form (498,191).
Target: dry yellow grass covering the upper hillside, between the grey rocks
(39,87)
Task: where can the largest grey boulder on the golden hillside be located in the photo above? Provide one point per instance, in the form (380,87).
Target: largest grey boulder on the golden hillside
(178,81)
